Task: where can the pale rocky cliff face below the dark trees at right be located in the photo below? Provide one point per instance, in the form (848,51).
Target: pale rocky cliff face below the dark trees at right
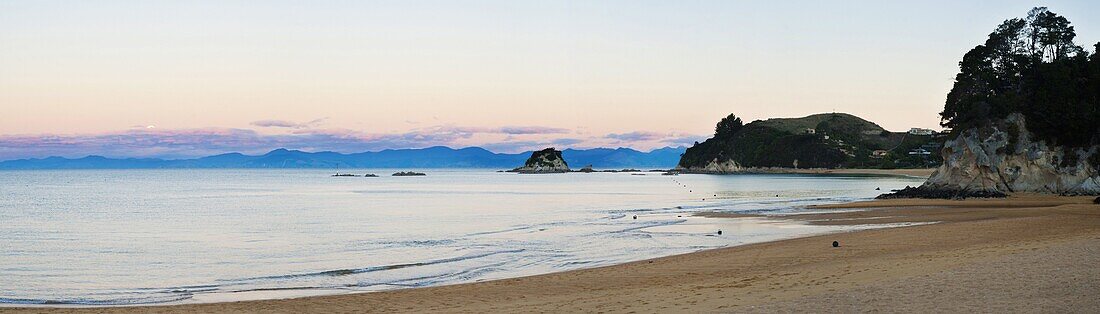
(1007,159)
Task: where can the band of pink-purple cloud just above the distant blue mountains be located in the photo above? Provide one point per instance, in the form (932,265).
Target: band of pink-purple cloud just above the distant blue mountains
(208,142)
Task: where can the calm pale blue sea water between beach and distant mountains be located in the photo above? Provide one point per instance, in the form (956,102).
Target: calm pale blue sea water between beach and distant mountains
(170,236)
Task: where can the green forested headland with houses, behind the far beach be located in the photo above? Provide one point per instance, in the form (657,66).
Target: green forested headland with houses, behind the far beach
(823,140)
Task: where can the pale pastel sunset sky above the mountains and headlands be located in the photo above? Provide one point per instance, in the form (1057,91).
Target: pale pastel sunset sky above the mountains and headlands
(192,79)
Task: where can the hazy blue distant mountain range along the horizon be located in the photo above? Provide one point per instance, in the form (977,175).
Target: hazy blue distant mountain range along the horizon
(436,157)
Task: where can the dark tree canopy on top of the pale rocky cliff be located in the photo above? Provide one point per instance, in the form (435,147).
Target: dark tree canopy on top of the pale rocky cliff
(1030,67)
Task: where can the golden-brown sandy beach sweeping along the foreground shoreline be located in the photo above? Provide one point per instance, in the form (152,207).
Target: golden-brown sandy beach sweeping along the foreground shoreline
(1024,254)
